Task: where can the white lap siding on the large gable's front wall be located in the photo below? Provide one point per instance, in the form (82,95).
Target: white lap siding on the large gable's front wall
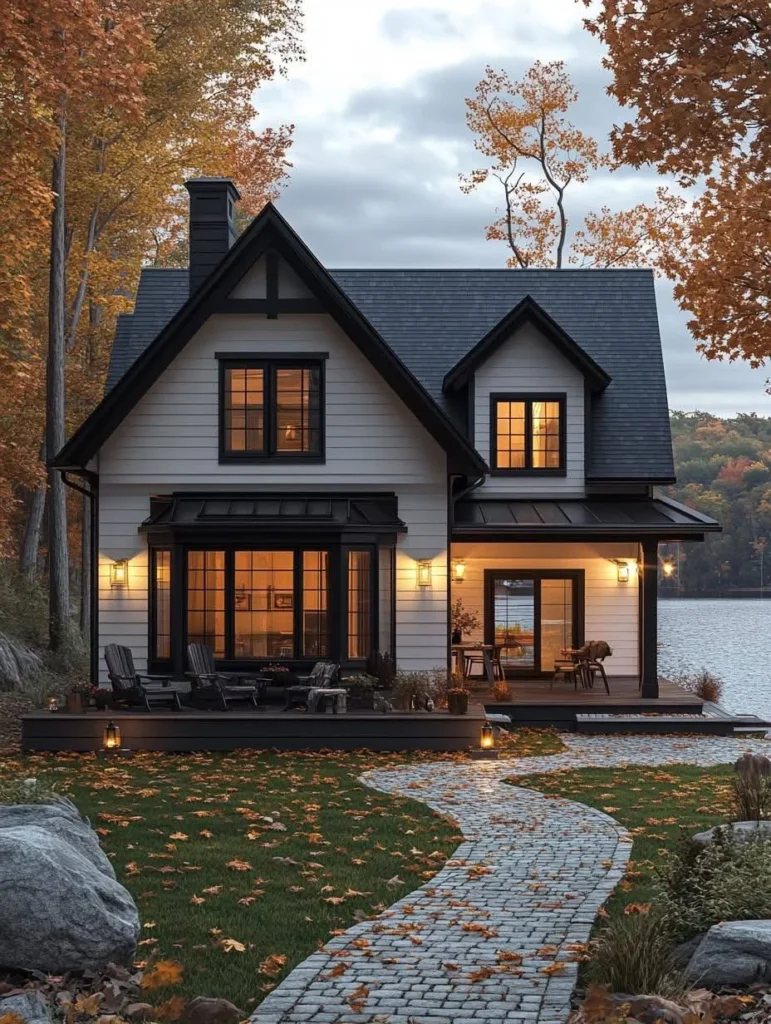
(169,442)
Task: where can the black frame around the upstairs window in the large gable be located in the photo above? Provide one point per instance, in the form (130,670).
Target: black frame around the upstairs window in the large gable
(270,365)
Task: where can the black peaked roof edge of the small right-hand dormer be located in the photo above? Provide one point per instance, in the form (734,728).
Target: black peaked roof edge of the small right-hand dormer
(527,312)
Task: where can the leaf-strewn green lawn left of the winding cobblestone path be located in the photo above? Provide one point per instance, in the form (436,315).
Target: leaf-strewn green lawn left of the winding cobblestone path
(275,851)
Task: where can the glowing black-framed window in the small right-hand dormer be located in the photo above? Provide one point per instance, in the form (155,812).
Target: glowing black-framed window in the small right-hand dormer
(528,435)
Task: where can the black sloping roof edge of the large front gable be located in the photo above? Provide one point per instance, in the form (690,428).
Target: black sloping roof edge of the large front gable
(269,232)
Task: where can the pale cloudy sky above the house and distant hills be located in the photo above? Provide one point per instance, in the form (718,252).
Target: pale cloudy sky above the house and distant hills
(380,140)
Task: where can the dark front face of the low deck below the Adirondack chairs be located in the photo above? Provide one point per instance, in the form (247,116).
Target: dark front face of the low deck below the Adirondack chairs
(270,730)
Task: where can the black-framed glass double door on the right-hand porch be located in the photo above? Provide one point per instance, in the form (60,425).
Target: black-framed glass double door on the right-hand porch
(532,616)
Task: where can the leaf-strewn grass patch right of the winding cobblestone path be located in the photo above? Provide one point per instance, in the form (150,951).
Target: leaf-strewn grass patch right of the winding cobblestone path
(657,805)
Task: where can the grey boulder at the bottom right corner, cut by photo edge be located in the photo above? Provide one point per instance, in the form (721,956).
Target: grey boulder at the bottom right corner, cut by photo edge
(735,953)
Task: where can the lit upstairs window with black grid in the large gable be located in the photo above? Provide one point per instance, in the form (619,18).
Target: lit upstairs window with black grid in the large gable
(271,409)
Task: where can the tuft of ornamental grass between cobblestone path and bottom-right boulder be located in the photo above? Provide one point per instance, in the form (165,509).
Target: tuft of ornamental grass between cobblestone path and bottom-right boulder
(633,954)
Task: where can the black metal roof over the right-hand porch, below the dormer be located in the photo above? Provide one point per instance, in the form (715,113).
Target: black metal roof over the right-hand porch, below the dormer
(591,518)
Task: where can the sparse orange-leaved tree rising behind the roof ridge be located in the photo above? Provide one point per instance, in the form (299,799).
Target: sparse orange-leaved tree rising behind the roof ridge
(536,154)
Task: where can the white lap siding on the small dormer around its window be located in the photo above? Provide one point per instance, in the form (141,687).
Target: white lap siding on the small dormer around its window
(530,363)
